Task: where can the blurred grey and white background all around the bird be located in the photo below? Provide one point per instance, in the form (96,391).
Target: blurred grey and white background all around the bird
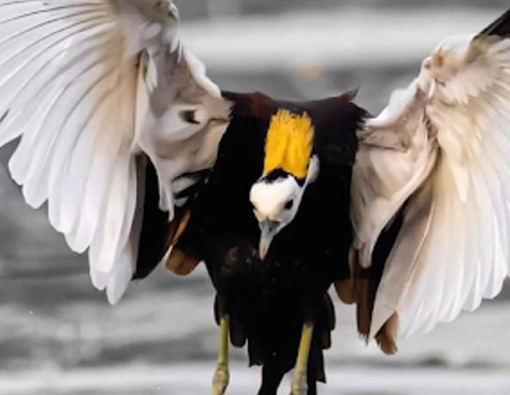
(59,336)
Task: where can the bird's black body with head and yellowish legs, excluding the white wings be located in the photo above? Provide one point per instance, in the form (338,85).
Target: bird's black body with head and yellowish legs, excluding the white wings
(272,281)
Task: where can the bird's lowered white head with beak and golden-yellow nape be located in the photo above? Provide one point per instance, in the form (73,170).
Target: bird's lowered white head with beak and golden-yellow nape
(288,168)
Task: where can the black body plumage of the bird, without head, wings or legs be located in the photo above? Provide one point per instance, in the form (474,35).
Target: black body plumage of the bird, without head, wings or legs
(268,301)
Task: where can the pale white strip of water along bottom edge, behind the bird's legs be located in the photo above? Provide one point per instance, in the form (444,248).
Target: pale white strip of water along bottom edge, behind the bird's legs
(194,379)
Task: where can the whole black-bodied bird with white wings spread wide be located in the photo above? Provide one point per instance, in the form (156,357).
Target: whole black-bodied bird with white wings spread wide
(143,159)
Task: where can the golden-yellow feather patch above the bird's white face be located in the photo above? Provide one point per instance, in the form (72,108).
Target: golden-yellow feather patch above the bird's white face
(289,143)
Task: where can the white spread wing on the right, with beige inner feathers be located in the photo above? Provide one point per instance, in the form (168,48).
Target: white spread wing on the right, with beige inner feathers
(452,249)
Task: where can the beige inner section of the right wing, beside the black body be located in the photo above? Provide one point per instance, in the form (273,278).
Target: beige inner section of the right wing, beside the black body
(394,157)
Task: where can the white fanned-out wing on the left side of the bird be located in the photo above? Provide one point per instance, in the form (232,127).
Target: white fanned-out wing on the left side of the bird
(91,87)
